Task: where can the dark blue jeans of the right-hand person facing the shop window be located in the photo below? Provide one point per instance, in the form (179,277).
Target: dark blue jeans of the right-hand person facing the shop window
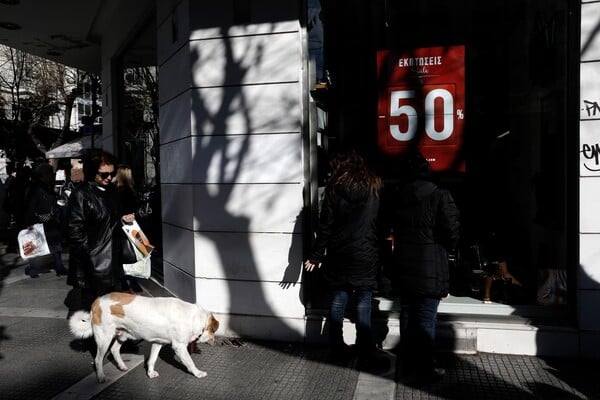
(418,317)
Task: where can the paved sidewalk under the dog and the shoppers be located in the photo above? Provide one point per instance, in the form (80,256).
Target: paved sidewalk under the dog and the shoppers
(39,360)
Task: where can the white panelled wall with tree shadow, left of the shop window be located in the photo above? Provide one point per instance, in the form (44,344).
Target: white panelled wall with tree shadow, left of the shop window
(231,161)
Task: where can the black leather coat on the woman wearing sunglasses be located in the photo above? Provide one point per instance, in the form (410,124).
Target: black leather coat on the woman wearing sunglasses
(94,221)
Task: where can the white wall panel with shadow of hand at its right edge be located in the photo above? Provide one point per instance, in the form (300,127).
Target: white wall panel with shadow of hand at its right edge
(273,257)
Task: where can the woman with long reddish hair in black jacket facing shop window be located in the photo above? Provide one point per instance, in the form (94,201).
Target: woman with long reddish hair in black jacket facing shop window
(346,245)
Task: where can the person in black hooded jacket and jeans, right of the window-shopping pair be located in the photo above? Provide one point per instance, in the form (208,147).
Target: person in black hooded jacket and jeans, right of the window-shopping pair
(425,223)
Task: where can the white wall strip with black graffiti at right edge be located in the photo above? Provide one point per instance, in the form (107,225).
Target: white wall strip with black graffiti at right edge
(588,292)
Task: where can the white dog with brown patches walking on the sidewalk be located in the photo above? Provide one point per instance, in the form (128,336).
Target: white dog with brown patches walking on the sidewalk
(159,320)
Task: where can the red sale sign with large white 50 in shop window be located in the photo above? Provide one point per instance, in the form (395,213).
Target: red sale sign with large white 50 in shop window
(422,103)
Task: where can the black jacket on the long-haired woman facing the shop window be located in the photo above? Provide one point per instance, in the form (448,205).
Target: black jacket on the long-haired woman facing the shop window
(346,240)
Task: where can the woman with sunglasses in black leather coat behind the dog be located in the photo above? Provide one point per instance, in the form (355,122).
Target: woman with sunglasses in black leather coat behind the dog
(94,228)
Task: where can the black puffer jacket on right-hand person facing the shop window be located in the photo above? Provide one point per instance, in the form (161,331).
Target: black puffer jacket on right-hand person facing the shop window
(425,220)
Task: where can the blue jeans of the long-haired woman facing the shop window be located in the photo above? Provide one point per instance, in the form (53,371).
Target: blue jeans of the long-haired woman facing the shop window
(339,301)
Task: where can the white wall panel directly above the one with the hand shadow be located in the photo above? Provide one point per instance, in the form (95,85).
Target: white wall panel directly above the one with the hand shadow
(247,208)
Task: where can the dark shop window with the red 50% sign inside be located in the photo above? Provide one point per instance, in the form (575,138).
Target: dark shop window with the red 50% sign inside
(499,131)
